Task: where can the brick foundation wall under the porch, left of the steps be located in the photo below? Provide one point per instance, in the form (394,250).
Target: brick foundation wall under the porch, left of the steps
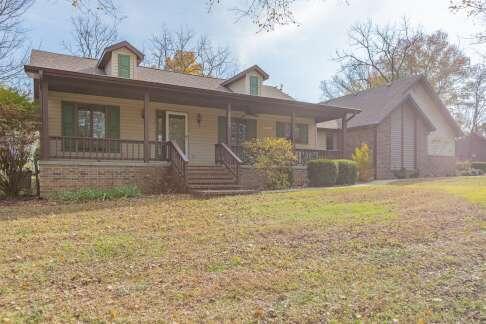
(71,175)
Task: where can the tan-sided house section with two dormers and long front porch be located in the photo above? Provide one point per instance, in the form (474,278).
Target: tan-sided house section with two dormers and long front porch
(111,121)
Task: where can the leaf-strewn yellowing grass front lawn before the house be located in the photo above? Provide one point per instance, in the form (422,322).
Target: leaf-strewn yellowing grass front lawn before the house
(412,251)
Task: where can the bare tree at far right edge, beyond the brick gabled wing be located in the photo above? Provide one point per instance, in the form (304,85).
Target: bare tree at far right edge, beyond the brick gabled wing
(474,100)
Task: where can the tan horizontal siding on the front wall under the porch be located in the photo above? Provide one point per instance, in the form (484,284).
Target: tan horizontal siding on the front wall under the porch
(201,138)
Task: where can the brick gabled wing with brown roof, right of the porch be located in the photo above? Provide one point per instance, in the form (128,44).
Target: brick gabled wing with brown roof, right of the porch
(405,124)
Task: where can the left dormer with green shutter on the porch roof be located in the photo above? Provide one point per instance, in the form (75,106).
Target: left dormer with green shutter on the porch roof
(120,59)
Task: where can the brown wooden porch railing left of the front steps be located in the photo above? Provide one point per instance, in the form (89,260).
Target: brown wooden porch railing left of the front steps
(104,149)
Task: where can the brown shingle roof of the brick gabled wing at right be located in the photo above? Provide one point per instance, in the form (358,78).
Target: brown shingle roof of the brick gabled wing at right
(377,103)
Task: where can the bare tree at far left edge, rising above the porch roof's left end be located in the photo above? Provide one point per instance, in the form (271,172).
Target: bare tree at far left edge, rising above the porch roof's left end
(12,38)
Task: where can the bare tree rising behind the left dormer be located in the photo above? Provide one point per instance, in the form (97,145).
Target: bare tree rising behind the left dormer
(91,34)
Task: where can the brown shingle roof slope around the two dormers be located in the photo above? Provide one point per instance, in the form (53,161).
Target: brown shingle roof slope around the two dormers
(42,59)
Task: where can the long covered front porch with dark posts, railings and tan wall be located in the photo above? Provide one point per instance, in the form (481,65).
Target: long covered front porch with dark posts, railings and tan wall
(172,123)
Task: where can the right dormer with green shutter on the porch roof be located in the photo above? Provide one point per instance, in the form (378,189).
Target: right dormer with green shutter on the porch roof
(249,81)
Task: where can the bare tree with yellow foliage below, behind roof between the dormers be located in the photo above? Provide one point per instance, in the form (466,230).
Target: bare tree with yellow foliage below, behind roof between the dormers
(214,61)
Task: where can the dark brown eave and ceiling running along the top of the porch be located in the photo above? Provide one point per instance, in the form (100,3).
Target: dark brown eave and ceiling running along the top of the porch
(133,89)
